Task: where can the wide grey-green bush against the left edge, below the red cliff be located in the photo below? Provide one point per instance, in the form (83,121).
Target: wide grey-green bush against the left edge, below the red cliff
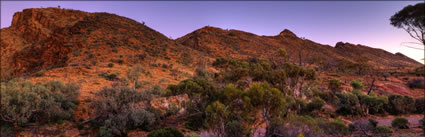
(23,101)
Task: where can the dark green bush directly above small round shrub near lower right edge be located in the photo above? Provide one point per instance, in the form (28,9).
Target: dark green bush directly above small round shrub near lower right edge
(398,104)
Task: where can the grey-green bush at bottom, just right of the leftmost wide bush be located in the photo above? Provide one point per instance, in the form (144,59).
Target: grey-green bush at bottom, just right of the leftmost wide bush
(116,110)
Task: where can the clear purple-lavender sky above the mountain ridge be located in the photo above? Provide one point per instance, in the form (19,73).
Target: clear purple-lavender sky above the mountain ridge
(357,22)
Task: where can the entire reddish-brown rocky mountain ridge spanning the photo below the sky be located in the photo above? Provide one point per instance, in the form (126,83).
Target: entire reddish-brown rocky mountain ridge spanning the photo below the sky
(41,38)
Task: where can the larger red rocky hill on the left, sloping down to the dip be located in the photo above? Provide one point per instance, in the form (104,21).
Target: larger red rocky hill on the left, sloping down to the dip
(48,36)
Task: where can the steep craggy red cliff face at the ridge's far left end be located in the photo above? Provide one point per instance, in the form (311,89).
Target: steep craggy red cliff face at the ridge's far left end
(45,30)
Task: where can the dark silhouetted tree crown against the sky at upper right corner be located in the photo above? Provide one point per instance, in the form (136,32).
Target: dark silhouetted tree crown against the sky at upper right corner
(412,19)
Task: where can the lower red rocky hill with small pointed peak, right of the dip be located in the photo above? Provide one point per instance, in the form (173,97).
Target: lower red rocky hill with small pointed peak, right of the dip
(233,43)
